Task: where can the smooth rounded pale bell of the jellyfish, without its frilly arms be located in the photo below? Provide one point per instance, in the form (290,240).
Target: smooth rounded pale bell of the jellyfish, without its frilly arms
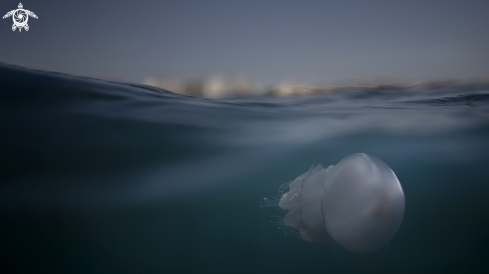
(363,203)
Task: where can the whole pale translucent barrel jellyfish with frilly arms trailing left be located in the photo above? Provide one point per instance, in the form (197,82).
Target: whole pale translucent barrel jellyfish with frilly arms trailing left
(357,204)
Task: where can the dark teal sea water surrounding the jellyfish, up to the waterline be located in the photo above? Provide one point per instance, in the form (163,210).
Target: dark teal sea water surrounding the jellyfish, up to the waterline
(108,177)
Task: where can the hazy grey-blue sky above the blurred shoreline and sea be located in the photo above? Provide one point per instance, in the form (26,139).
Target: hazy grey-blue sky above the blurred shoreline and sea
(268,41)
